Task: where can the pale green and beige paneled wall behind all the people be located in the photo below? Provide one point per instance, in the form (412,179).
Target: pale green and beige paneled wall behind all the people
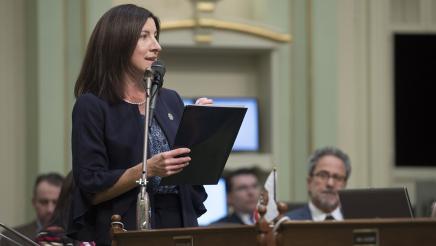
(330,86)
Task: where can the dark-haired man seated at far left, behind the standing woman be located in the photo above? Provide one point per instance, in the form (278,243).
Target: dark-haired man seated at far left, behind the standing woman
(45,195)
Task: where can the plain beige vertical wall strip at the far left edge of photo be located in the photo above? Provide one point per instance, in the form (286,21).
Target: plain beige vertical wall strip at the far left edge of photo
(12,110)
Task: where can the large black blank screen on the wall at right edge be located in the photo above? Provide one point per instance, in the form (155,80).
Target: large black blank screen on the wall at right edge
(414,86)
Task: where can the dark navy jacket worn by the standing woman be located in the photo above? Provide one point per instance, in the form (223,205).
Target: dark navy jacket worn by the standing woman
(107,138)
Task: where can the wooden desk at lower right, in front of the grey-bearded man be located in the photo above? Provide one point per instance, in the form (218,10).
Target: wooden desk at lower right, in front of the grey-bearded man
(384,232)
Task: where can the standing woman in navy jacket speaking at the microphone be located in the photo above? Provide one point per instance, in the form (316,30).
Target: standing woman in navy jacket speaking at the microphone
(108,132)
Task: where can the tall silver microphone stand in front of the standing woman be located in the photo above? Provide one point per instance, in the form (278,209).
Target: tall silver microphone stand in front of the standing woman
(143,202)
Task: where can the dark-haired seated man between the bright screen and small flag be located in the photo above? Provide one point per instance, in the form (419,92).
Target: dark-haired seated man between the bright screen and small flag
(243,191)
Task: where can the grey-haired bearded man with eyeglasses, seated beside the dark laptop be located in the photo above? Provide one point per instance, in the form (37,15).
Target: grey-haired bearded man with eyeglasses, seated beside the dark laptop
(329,169)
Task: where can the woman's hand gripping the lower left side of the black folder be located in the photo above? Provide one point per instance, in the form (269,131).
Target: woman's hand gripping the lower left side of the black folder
(168,163)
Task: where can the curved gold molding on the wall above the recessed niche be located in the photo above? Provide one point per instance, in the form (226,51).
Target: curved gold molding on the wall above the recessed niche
(226,25)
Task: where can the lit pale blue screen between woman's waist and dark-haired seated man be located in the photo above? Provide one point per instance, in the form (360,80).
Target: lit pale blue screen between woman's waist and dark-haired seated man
(216,203)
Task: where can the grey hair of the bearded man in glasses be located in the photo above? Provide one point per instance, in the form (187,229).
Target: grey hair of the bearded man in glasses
(329,150)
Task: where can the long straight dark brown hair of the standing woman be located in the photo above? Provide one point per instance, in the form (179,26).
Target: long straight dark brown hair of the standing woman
(109,50)
